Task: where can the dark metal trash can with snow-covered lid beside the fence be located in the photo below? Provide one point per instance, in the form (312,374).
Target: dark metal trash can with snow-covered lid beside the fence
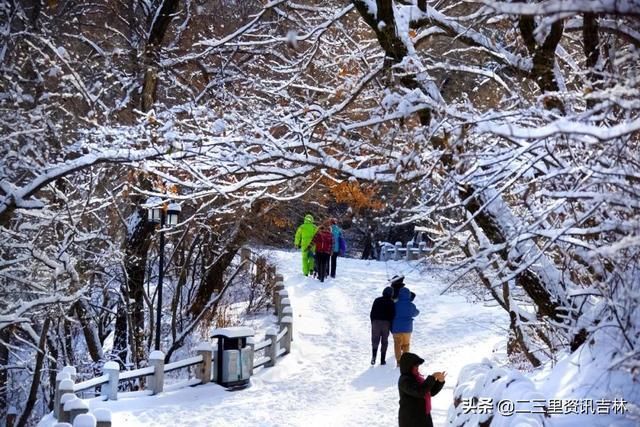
(232,356)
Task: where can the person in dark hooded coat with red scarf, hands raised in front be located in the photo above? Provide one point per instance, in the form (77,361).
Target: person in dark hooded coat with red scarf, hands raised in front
(416,391)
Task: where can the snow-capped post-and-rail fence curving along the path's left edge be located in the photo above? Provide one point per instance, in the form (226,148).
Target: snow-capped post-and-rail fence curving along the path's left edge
(69,409)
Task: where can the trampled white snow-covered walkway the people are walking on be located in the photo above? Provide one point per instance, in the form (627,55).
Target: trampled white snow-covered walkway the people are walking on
(327,379)
